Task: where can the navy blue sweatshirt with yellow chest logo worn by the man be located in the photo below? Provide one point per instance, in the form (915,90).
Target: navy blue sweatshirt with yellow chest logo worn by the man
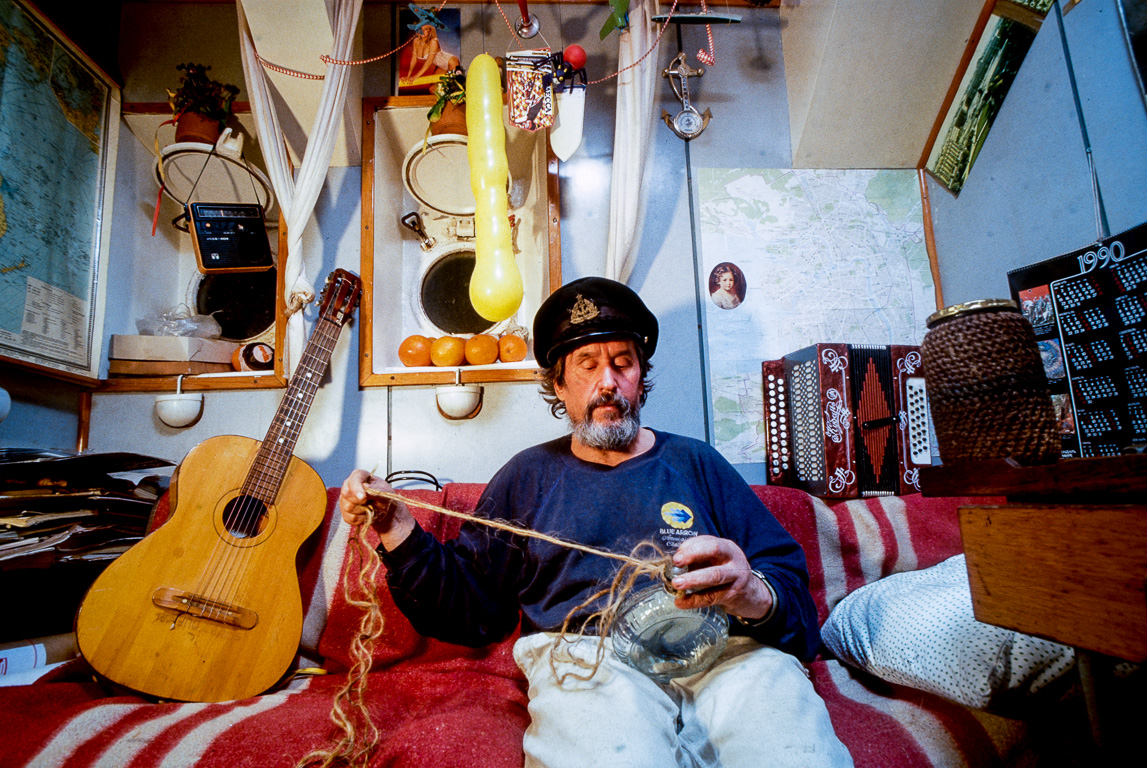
(473,591)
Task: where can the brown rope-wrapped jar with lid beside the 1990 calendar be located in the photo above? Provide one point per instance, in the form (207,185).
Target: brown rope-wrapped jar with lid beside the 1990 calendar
(987,388)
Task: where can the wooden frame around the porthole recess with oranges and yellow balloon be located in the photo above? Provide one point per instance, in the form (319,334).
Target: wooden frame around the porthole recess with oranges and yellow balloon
(395,377)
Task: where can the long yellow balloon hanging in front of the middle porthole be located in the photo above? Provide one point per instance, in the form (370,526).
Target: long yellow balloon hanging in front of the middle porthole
(496,287)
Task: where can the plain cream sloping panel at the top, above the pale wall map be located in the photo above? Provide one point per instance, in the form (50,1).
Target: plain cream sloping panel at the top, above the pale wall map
(868,80)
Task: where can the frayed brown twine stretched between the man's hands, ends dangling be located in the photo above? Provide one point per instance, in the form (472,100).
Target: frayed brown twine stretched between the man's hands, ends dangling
(360,735)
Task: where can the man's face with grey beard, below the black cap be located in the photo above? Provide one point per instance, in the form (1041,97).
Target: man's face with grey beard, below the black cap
(602,389)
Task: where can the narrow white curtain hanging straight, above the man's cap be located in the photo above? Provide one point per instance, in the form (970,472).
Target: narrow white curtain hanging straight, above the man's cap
(633,131)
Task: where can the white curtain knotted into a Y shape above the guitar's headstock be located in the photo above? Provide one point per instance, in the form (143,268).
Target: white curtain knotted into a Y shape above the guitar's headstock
(298,195)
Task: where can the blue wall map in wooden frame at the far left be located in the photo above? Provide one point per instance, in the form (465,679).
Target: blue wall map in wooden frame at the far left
(58,331)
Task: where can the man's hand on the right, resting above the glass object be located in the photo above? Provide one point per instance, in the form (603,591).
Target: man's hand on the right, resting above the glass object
(720,575)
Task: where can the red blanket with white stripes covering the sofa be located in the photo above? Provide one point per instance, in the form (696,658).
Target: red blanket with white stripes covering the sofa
(442,706)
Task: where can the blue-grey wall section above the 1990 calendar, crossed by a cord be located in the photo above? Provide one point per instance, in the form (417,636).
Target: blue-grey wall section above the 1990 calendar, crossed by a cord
(1029,197)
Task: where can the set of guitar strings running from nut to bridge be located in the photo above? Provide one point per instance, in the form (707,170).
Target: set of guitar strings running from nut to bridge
(222,578)
